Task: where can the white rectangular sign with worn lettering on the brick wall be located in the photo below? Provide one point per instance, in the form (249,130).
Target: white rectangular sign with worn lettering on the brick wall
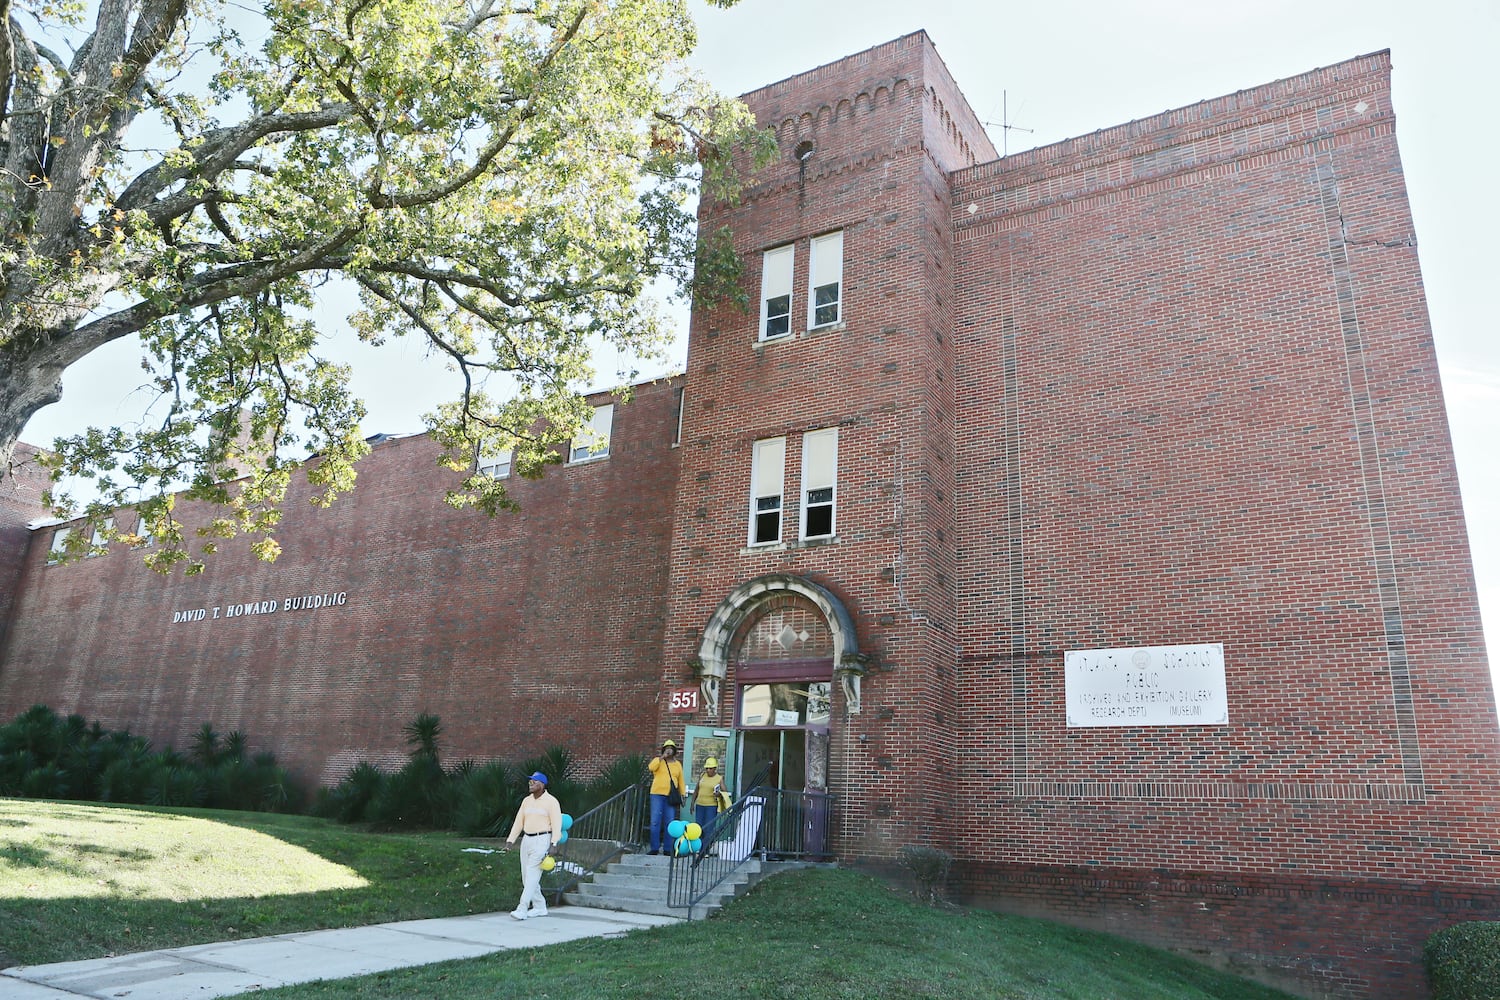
(1147,686)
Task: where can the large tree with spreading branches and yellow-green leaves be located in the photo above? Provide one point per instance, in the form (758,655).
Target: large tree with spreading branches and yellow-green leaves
(499,178)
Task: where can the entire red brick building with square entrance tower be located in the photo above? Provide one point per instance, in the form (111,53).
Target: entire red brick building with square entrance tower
(1088,513)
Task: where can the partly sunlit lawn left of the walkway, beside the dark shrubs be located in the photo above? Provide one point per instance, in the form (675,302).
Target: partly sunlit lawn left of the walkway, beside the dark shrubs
(83,881)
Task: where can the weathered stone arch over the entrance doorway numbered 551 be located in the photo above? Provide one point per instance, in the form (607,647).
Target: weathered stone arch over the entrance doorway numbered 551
(745,600)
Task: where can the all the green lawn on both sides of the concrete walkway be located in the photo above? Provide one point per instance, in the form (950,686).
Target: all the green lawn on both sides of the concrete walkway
(80,882)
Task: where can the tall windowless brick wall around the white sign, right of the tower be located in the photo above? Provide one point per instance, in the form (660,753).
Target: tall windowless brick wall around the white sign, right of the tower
(1199,394)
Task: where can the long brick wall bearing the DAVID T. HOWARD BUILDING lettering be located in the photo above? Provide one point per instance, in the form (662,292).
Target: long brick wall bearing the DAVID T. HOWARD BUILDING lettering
(523,632)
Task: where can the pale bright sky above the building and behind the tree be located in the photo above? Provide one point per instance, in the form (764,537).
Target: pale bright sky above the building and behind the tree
(1067,68)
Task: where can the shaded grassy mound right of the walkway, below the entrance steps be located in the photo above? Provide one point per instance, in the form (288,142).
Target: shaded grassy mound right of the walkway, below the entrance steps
(818,935)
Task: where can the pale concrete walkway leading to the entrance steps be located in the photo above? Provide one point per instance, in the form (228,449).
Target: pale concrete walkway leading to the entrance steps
(260,963)
